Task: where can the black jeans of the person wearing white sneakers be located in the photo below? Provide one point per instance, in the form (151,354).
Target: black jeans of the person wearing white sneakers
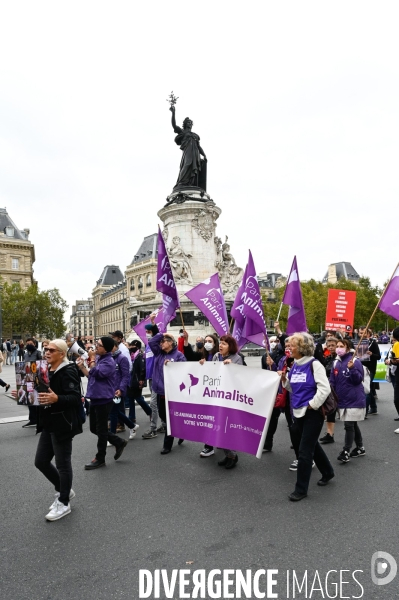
(60,475)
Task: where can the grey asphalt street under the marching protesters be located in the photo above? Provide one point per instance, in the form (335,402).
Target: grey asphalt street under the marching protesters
(148,511)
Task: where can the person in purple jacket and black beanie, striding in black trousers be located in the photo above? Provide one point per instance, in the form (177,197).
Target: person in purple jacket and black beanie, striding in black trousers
(101,391)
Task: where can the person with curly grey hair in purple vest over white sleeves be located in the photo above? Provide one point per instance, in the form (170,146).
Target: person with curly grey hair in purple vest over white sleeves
(309,388)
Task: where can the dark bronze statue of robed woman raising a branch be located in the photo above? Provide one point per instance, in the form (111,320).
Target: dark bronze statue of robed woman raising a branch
(190,165)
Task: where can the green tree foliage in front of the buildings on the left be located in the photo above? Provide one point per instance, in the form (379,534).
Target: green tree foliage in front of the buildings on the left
(32,312)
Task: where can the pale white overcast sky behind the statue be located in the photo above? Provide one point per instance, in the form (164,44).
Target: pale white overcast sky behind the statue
(296,104)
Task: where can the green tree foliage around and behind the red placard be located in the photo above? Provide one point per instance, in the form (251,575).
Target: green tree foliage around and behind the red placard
(315,294)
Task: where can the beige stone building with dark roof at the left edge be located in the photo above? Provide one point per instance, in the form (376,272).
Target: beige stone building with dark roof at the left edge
(17,253)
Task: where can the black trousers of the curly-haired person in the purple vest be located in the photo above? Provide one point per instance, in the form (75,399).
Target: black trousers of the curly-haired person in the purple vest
(305,432)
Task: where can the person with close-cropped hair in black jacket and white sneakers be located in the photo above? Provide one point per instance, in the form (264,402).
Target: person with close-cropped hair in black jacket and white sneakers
(59,422)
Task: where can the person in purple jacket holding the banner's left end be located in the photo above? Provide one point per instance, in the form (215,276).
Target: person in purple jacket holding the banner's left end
(164,348)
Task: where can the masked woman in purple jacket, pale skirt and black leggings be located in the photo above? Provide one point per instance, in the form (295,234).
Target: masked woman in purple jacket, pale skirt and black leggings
(347,380)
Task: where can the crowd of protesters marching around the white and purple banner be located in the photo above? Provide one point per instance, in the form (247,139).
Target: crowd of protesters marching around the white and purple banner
(311,371)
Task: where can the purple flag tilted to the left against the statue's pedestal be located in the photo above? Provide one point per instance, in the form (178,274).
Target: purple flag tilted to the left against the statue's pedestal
(208,297)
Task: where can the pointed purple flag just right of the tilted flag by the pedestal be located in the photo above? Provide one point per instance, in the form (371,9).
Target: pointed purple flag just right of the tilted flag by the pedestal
(248,309)
